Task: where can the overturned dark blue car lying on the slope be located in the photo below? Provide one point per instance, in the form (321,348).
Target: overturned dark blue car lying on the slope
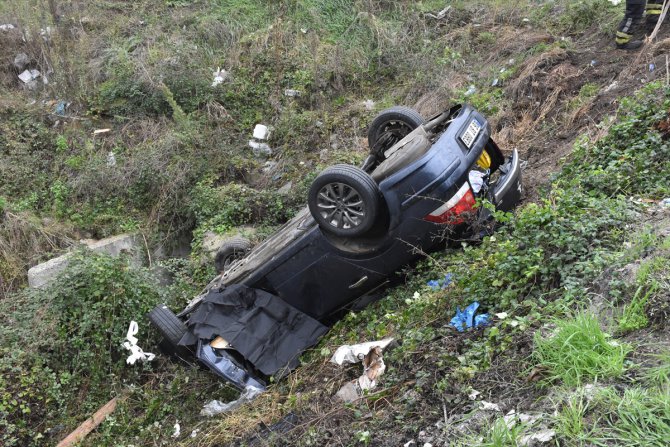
(417,189)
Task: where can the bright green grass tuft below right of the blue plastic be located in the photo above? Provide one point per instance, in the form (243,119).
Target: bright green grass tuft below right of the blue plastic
(579,351)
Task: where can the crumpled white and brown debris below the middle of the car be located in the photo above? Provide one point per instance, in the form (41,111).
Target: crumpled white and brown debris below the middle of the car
(370,354)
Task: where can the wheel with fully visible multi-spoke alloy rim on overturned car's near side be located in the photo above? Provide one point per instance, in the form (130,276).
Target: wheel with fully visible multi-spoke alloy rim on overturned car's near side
(344,200)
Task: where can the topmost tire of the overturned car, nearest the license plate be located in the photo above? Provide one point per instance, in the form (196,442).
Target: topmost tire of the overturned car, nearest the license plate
(391,126)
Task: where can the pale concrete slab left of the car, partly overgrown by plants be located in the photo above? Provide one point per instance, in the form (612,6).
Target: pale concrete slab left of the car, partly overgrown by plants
(43,274)
